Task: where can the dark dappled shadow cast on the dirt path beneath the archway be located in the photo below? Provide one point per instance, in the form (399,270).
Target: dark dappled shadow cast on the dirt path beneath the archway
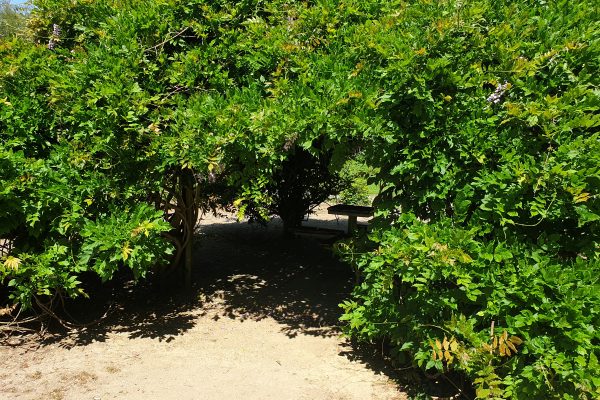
(241,271)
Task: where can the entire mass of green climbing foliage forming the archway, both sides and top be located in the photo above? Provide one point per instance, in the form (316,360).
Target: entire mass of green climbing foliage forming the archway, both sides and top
(479,121)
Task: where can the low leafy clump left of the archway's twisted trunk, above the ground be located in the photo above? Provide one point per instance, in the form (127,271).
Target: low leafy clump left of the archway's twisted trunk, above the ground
(130,237)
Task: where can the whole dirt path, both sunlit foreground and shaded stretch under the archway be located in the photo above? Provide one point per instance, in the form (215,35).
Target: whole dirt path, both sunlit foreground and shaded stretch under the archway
(260,324)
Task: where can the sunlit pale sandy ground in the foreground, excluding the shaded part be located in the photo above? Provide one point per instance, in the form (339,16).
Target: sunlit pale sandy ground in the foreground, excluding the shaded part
(224,359)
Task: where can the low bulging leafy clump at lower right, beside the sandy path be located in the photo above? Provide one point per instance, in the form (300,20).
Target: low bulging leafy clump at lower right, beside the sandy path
(423,282)
